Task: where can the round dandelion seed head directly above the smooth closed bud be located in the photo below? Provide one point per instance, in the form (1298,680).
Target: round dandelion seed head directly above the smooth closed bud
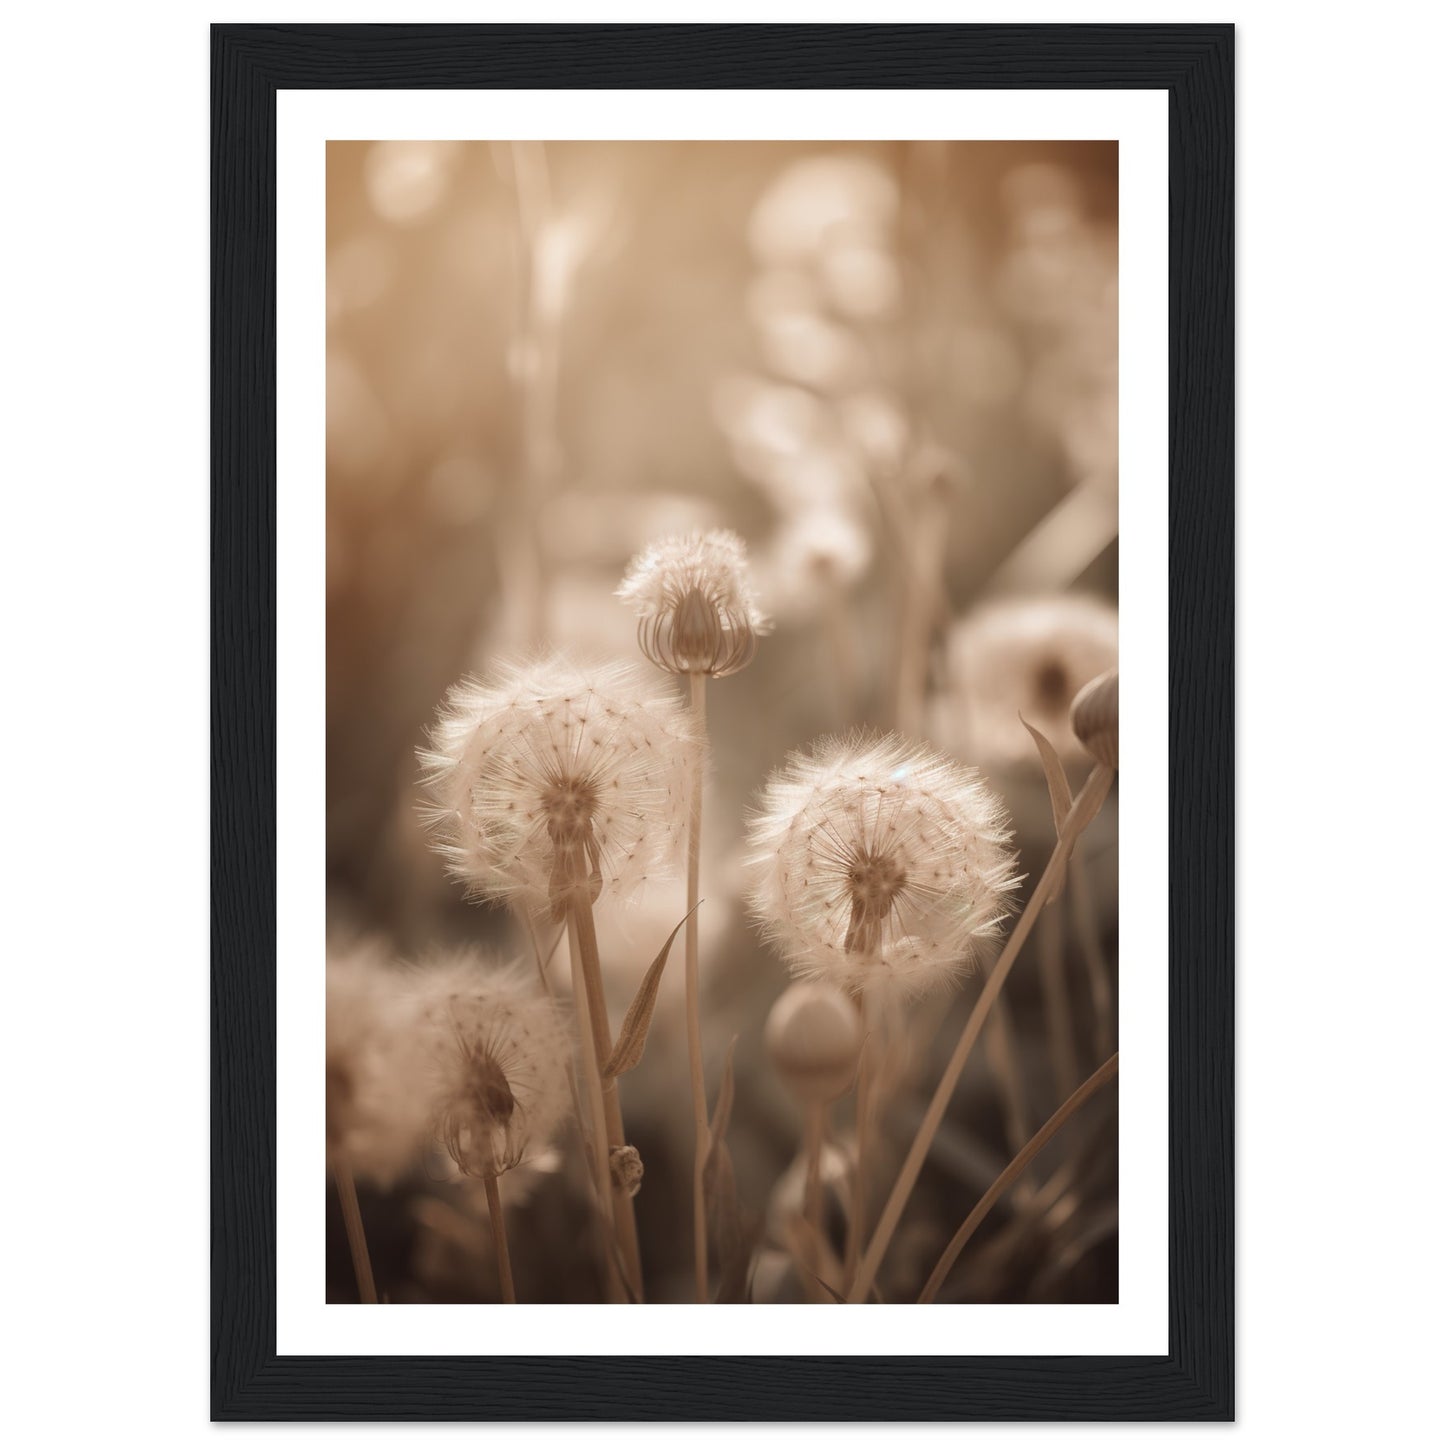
(879,866)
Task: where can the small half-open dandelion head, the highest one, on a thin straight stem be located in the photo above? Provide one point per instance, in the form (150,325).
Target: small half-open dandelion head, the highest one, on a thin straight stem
(696,606)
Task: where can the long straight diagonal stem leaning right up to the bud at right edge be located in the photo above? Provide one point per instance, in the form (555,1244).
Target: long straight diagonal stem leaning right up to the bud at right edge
(1089,803)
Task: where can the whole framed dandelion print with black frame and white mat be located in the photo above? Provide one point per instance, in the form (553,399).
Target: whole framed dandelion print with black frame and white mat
(700,515)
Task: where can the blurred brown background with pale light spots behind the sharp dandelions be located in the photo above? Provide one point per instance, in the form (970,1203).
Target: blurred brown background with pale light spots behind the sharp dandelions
(894,371)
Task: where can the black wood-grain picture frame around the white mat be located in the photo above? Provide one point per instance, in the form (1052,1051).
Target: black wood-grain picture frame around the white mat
(1196,1381)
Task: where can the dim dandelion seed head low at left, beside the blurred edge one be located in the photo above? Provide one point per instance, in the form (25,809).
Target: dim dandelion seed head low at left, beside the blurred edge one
(496,1053)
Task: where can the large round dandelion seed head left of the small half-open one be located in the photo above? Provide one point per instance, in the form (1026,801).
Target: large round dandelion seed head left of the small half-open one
(554,777)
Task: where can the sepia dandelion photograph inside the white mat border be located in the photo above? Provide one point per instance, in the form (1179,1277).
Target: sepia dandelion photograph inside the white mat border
(722,723)
